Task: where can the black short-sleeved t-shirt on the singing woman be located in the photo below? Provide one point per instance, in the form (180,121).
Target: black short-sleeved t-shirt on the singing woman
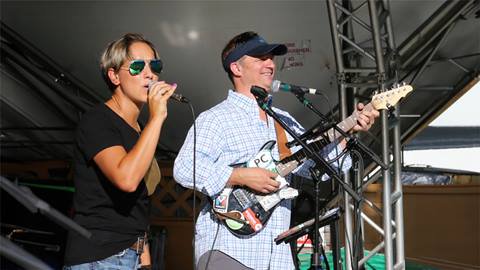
(114,217)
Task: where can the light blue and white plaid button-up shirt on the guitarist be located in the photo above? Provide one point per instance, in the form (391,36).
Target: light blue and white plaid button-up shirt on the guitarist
(231,133)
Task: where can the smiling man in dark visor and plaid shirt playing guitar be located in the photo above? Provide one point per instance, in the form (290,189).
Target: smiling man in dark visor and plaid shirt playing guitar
(230,133)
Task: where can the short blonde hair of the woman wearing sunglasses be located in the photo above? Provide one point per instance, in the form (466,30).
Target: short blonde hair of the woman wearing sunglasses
(117,52)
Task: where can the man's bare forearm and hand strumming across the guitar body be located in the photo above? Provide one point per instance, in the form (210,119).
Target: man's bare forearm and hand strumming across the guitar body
(258,179)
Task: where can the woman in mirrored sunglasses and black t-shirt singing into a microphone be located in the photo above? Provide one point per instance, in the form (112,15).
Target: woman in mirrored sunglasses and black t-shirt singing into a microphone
(113,155)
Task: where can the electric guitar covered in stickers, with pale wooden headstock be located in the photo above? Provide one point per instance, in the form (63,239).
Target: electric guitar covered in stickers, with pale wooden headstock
(245,212)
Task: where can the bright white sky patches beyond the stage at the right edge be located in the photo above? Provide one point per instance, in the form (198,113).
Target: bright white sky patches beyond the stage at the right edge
(464,112)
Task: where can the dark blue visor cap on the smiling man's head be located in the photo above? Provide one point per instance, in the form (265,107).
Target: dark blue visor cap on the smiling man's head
(254,47)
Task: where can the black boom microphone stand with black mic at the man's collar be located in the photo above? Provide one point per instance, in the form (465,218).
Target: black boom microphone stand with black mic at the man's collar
(261,96)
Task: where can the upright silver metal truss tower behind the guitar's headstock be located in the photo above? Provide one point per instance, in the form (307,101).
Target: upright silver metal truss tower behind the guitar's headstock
(365,56)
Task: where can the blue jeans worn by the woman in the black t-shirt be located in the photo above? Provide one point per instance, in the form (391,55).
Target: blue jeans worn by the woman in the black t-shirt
(127,259)
